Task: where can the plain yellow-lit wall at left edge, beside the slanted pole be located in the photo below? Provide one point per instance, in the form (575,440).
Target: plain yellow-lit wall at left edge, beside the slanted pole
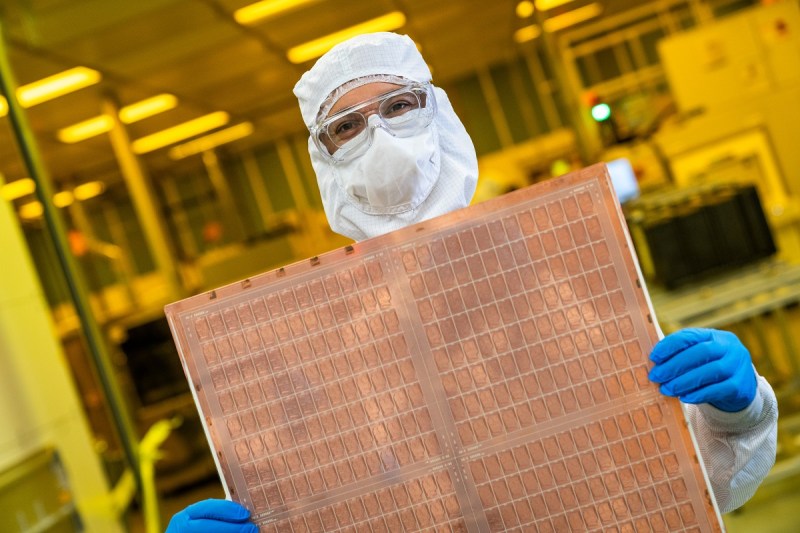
(39,407)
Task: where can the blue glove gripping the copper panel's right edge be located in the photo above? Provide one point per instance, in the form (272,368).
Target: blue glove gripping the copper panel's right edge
(705,366)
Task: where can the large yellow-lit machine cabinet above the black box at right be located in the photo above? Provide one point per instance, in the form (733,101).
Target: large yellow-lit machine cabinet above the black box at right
(736,86)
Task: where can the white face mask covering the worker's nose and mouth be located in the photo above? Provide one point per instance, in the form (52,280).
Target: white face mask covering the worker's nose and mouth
(395,174)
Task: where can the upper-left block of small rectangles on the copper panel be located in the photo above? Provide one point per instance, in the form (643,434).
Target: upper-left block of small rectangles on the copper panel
(316,386)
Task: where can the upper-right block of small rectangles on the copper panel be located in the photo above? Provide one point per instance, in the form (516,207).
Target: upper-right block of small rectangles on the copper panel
(526,318)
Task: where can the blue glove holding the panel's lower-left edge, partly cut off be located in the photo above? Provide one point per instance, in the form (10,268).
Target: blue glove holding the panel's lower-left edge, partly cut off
(212,516)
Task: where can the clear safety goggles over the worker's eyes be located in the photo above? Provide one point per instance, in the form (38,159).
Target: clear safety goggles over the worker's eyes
(403,113)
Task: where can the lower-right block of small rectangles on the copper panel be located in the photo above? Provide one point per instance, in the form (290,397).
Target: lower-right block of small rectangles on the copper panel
(619,473)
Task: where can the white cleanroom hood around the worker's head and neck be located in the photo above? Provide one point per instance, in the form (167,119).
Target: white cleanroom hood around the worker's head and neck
(386,54)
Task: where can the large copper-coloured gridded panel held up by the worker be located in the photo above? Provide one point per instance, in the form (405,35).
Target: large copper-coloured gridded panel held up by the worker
(484,371)
